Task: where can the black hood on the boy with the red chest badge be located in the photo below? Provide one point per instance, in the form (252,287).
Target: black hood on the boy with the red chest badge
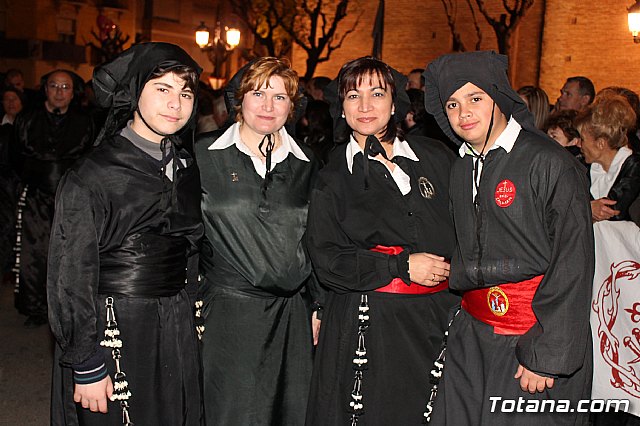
(487,70)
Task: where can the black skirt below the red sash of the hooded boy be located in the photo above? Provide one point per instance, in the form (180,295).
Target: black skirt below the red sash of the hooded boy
(481,365)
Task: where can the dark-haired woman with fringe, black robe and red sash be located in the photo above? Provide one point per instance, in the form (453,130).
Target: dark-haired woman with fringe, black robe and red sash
(380,238)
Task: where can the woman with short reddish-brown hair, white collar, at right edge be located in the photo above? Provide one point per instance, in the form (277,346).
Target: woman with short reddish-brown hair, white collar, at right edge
(615,169)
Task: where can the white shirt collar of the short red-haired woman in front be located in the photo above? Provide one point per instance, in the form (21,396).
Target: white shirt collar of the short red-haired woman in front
(288,145)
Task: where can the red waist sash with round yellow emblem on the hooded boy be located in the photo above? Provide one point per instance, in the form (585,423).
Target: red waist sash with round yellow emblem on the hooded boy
(506,307)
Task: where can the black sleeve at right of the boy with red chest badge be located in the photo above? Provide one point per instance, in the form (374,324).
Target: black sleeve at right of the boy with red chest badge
(556,344)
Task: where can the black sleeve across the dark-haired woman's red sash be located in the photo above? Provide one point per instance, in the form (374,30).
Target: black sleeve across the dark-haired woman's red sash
(340,264)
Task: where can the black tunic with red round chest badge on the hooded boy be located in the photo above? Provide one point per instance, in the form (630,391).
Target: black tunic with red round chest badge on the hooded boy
(545,230)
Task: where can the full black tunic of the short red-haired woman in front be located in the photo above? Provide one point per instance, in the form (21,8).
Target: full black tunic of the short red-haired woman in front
(257,344)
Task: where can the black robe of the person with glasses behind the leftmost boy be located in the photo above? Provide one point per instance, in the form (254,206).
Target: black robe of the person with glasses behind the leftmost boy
(46,145)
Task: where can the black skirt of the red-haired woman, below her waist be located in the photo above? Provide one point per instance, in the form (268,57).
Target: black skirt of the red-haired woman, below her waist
(257,358)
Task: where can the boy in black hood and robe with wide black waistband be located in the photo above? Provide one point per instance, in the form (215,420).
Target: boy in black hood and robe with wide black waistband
(122,270)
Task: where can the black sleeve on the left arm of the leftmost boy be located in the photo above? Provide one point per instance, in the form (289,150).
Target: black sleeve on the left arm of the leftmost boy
(73,270)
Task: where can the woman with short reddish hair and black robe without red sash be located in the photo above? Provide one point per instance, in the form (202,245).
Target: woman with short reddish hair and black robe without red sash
(256,183)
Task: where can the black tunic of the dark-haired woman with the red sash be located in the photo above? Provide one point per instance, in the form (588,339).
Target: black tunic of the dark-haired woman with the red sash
(405,331)
